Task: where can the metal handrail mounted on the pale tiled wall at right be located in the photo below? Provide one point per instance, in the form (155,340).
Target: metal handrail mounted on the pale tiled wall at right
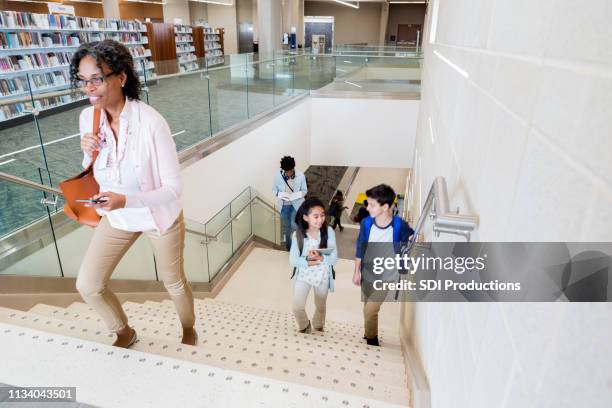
(444,220)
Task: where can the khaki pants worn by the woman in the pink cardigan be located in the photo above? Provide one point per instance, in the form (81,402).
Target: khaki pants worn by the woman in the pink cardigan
(106,249)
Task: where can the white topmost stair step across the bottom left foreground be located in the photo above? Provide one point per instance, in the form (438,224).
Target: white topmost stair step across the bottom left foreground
(107,376)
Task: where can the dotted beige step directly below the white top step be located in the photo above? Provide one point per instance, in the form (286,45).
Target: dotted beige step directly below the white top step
(91,330)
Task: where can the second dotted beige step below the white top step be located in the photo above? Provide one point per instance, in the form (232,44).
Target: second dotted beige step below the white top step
(242,350)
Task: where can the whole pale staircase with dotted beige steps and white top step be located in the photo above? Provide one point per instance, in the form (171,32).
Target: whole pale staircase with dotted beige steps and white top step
(246,356)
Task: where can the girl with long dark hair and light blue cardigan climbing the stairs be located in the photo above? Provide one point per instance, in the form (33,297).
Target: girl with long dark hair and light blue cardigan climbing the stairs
(312,269)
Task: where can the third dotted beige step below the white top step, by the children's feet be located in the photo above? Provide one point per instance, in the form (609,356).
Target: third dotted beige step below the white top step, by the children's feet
(334,341)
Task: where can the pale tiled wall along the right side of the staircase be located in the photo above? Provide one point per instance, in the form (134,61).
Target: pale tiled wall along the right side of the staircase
(516,113)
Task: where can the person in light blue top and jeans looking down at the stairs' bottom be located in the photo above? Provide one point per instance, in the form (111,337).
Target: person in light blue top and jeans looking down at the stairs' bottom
(290,189)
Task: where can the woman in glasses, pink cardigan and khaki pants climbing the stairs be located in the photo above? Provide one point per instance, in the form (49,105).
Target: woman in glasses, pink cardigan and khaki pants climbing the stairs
(138,172)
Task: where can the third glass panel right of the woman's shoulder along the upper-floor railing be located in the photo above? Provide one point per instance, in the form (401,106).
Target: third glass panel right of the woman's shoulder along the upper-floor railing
(260,77)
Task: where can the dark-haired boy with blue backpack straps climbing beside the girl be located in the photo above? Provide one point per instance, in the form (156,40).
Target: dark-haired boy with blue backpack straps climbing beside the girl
(380,226)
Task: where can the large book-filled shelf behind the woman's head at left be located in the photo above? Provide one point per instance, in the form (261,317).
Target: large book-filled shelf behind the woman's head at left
(35,53)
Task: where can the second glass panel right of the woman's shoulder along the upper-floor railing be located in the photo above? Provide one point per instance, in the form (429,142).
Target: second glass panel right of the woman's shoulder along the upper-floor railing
(228,96)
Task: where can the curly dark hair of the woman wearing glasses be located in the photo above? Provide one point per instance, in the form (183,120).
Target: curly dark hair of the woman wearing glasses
(116,56)
